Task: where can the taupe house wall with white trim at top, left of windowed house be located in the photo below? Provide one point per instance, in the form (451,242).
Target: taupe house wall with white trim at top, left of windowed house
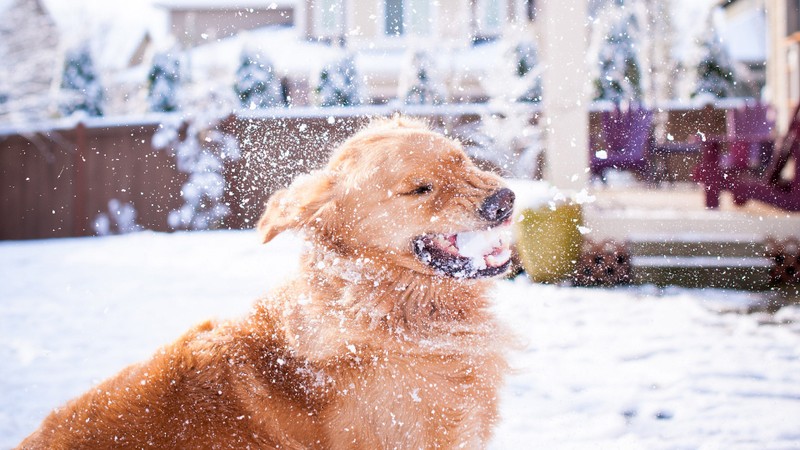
(195,22)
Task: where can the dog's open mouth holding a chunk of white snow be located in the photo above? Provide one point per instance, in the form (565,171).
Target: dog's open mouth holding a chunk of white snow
(469,254)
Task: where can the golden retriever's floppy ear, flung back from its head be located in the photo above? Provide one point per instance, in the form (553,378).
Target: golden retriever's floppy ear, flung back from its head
(298,205)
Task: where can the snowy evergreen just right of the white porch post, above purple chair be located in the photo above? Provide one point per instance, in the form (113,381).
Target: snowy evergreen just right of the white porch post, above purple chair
(617,66)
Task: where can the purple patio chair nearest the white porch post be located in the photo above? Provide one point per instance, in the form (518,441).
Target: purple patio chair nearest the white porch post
(623,141)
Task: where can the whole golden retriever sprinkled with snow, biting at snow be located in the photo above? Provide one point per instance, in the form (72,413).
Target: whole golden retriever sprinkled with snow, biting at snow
(383,339)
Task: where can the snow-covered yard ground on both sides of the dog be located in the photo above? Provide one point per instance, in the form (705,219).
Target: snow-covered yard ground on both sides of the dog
(637,368)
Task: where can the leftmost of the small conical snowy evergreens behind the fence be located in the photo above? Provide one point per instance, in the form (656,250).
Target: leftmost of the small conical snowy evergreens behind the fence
(80,85)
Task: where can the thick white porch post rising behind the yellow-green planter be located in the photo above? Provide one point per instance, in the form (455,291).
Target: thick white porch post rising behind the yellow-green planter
(565,90)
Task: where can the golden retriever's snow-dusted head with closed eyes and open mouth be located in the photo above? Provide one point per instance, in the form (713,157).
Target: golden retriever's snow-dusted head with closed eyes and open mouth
(400,193)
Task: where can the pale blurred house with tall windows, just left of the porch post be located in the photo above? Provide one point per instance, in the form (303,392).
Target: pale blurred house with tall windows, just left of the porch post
(382,33)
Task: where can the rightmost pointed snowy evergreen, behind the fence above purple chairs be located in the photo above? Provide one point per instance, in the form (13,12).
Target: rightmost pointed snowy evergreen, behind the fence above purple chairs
(715,72)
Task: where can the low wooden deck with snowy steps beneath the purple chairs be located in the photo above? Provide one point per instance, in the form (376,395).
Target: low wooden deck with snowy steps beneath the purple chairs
(674,240)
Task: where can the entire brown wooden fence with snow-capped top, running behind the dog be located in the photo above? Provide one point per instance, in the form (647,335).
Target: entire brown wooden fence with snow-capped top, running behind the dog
(56,182)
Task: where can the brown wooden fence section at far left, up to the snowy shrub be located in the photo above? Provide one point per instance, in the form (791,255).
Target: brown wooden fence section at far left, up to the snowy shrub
(55,182)
